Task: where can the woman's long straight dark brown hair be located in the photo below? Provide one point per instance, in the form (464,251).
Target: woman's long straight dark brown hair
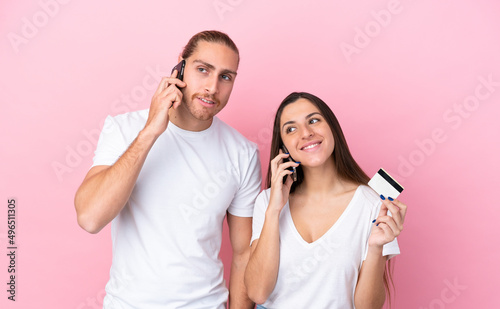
(346,167)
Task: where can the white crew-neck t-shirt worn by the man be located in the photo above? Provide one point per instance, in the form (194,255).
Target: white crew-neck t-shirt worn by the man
(167,238)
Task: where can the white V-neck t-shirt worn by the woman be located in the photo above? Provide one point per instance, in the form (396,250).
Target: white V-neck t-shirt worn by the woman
(324,273)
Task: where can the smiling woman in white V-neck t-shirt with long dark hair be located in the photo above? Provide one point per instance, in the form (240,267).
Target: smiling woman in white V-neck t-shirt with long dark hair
(323,240)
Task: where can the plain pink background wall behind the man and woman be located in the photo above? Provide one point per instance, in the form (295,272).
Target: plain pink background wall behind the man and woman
(405,78)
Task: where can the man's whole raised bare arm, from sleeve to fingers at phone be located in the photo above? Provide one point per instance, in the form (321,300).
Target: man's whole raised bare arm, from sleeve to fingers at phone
(106,189)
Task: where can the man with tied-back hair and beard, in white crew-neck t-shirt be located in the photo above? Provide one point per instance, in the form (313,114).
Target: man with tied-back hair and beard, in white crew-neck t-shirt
(165,178)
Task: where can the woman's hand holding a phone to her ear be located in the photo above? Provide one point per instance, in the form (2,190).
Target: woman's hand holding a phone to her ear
(280,191)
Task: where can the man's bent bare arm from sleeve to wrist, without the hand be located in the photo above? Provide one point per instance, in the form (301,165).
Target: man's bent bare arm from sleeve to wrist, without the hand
(104,194)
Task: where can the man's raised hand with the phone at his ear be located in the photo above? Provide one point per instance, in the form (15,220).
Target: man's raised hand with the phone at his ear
(166,96)
